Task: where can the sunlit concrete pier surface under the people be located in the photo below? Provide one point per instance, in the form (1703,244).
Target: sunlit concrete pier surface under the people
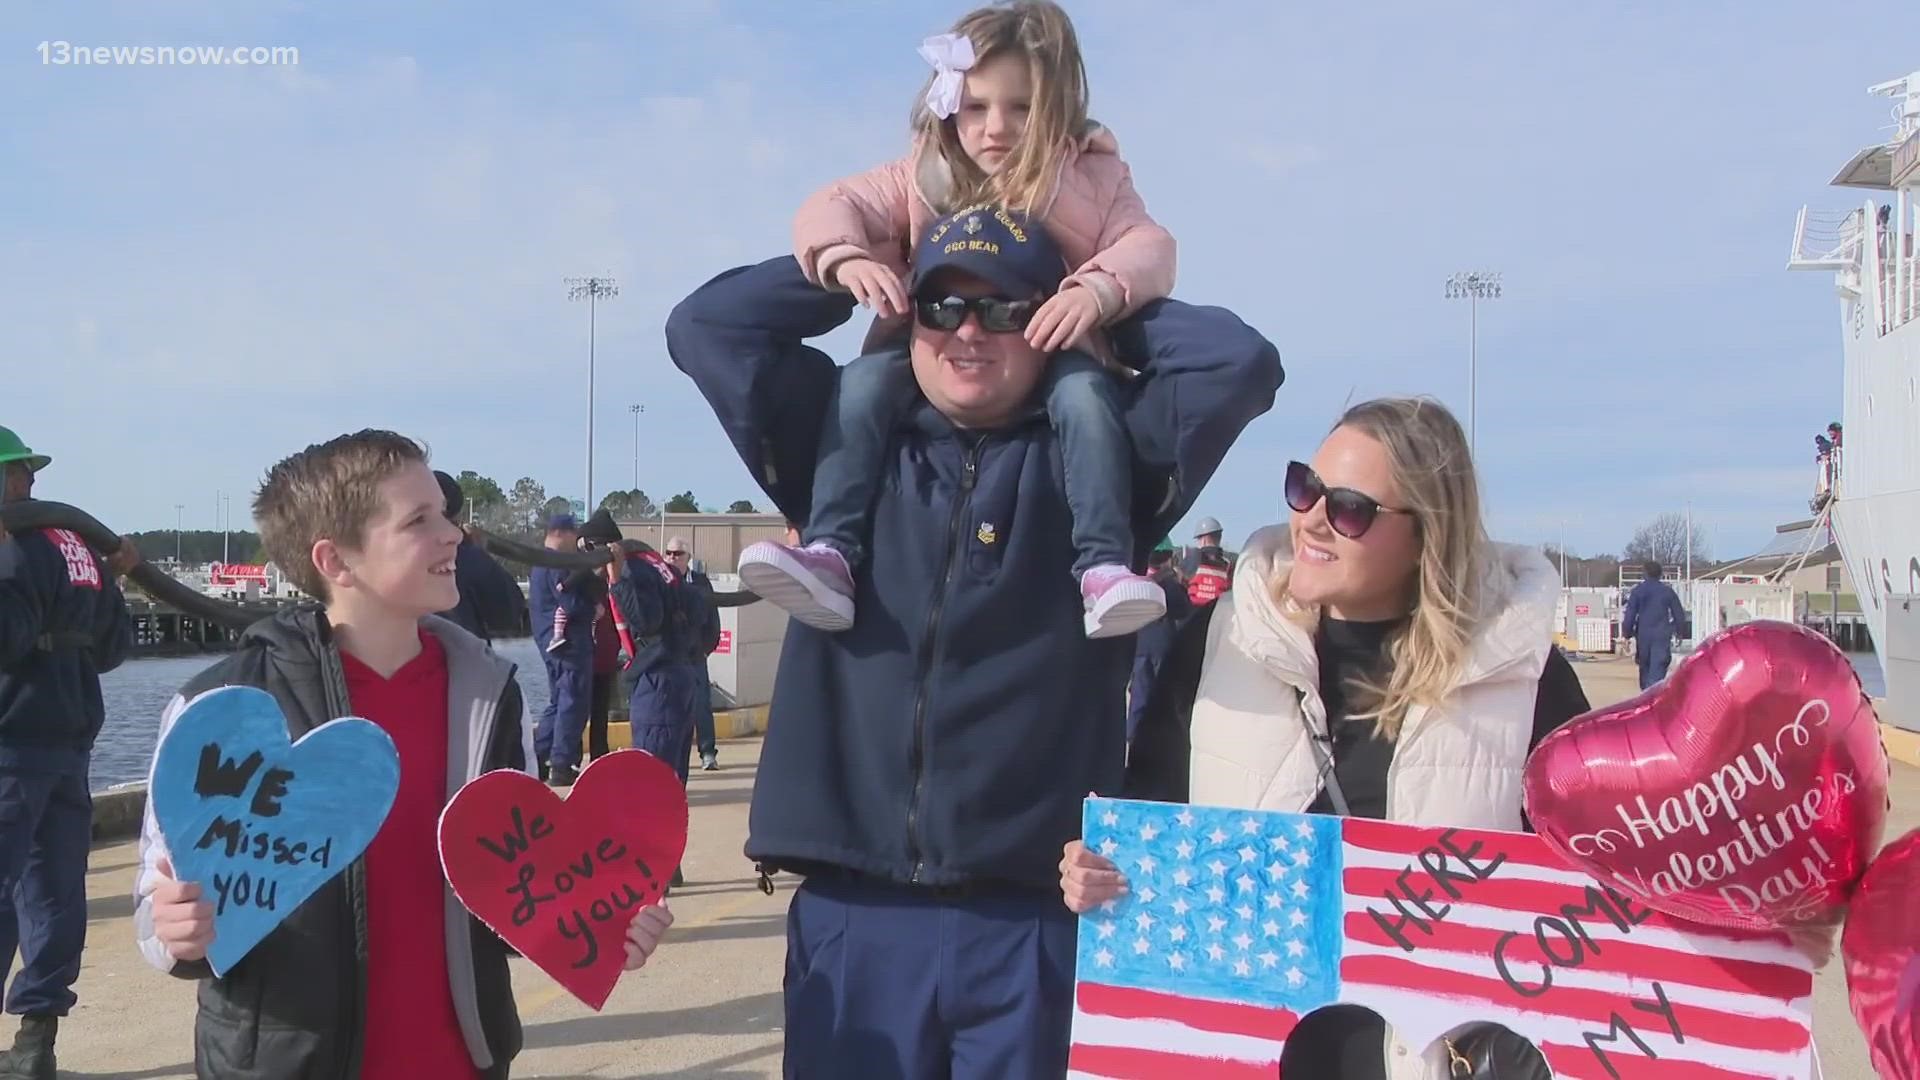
(709,1004)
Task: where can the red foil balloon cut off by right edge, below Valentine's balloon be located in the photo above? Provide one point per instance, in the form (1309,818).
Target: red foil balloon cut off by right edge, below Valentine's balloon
(1883,956)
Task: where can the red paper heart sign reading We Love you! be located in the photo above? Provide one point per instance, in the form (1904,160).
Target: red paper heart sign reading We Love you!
(562,881)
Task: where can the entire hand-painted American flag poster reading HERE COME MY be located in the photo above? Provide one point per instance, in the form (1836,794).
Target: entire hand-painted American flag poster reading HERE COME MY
(1241,923)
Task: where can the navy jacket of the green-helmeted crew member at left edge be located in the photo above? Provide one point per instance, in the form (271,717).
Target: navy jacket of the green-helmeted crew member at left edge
(62,624)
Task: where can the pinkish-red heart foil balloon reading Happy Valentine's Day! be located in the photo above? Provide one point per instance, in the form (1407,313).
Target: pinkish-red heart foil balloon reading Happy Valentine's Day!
(1746,791)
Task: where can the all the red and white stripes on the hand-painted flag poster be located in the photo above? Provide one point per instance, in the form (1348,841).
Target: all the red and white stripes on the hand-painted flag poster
(1744,1002)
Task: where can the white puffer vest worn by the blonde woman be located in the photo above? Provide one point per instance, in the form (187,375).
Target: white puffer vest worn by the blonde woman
(1456,762)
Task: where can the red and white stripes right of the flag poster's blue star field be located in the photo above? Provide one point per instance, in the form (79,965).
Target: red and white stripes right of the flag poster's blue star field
(1744,1002)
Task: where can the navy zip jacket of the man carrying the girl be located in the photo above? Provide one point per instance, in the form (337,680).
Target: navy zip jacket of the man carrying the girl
(955,729)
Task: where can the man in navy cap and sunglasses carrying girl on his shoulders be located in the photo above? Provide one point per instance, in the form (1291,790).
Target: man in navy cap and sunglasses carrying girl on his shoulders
(926,764)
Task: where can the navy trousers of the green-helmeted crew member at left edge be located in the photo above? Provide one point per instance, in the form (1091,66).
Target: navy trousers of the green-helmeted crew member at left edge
(47,827)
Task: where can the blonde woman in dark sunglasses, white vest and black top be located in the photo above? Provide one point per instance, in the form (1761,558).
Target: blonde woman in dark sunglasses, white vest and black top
(1378,658)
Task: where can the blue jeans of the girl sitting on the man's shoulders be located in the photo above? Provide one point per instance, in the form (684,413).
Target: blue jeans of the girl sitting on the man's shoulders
(1082,403)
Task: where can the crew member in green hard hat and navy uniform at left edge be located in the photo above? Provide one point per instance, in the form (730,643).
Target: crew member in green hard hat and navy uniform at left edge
(62,624)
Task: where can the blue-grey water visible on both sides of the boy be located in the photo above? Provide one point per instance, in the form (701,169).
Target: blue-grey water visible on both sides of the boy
(139,691)
